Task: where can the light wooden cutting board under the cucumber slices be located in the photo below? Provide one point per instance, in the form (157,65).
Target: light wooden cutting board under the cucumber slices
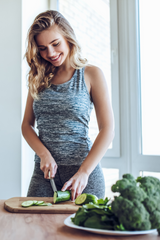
(14,205)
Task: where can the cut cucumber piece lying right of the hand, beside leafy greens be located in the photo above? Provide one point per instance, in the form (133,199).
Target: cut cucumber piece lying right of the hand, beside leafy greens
(86,198)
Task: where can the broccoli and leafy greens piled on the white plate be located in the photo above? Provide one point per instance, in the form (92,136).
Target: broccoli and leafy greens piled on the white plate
(136,208)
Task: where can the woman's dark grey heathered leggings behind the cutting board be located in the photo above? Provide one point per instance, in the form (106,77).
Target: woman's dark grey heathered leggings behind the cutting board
(41,187)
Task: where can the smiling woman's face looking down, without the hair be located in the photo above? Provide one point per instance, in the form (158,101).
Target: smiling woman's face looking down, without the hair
(52,46)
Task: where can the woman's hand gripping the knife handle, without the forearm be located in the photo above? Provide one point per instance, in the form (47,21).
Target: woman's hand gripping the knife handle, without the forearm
(48,164)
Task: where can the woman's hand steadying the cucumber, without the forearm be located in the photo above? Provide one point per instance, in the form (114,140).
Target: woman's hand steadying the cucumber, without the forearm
(76,184)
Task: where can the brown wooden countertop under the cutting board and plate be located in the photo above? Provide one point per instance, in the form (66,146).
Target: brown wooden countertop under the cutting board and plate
(21,226)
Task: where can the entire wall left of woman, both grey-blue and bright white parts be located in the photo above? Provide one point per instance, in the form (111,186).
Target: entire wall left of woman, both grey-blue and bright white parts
(16,158)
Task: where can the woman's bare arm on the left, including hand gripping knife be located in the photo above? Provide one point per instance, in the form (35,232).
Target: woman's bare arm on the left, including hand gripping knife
(47,161)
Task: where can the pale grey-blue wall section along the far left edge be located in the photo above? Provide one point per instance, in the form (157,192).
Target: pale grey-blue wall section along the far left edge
(10,98)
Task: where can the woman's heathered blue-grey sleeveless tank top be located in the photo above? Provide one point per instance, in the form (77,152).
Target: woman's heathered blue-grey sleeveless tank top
(62,114)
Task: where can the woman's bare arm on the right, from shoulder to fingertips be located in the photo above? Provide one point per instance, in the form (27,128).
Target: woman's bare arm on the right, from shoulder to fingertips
(105,119)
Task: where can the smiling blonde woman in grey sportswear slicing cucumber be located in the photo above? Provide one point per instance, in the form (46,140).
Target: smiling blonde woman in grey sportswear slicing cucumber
(63,88)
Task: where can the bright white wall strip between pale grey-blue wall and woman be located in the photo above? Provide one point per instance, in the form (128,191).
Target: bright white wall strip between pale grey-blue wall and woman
(30,9)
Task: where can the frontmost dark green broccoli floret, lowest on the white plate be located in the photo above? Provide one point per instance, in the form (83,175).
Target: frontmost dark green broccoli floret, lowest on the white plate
(132,214)
